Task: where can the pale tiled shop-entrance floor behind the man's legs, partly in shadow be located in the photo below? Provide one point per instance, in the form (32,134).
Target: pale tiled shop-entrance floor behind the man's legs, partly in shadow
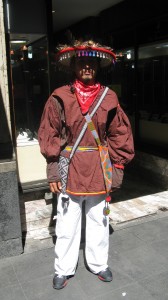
(137,199)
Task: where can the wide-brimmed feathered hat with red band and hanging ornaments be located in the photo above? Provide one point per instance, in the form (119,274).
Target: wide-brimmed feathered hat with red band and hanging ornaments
(85,49)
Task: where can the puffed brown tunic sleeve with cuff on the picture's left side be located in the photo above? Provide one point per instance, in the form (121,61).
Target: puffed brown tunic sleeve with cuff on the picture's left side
(49,138)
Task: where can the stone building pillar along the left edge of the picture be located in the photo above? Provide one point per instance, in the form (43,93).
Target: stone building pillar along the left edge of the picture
(10,225)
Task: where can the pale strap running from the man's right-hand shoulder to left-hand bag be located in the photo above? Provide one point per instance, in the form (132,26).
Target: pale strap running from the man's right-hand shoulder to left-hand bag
(85,125)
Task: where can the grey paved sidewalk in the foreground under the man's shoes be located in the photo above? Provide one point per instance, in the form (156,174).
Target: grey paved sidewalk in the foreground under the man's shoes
(138,257)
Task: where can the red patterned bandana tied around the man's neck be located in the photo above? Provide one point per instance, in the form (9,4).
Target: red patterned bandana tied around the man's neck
(86,94)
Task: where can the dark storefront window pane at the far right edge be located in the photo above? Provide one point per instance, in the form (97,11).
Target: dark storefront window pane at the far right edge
(153,96)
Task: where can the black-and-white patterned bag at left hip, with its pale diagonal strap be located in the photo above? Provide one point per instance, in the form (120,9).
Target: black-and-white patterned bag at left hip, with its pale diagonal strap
(64,162)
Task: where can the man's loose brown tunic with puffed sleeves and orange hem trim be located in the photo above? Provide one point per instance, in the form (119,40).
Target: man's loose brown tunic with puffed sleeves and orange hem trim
(85,173)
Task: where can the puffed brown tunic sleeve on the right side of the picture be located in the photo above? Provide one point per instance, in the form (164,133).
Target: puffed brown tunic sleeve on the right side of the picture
(120,139)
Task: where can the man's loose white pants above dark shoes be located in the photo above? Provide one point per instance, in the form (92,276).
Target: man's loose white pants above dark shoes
(68,232)
